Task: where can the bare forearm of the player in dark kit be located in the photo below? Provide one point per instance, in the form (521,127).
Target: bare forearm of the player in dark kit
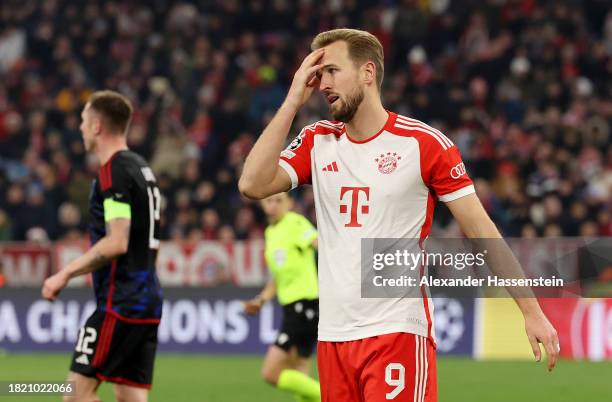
(100,255)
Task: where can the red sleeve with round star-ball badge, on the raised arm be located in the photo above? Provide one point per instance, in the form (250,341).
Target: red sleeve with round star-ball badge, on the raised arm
(295,159)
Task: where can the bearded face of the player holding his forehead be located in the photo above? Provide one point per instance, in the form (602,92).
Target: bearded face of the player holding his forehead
(340,82)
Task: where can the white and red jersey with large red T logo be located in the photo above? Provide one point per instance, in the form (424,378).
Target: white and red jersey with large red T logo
(383,187)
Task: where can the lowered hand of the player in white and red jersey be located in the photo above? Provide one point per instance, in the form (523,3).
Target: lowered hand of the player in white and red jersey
(540,330)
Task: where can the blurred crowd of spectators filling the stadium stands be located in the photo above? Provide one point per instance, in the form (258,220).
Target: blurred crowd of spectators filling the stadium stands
(523,87)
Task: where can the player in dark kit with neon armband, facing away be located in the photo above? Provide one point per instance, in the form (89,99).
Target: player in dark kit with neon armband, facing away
(119,340)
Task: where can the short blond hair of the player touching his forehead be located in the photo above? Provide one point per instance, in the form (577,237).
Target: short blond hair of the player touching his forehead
(362,46)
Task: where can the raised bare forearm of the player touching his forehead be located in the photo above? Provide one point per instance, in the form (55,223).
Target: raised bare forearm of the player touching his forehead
(262,162)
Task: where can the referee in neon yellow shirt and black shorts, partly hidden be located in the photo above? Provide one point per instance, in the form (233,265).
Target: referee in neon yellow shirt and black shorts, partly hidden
(290,243)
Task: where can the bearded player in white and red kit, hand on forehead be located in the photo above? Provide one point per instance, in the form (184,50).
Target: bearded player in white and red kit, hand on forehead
(375,174)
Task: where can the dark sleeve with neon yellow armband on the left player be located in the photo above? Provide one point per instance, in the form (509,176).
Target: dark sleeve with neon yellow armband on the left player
(115,185)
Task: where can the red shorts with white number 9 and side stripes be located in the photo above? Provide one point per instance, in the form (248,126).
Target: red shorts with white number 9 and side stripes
(395,367)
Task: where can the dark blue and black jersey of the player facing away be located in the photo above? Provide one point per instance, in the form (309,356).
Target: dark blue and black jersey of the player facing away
(128,286)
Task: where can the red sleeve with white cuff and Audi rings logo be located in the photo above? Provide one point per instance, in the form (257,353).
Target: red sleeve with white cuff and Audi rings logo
(446,173)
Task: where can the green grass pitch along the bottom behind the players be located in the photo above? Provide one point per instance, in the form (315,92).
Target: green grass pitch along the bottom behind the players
(198,378)
